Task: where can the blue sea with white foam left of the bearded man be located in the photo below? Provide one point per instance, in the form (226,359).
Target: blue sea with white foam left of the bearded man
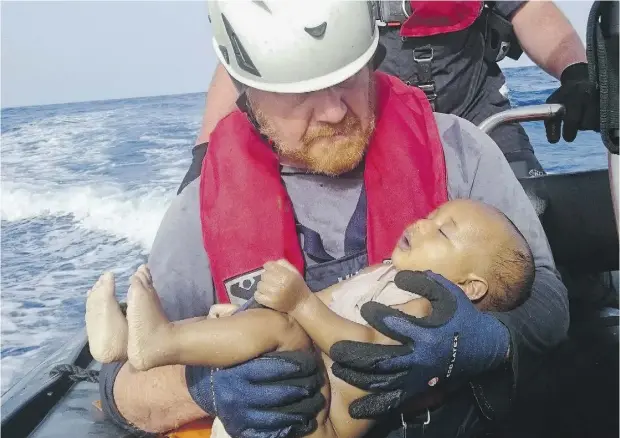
(83,190)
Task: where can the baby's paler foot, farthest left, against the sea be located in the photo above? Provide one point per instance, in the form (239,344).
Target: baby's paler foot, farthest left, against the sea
(105,324)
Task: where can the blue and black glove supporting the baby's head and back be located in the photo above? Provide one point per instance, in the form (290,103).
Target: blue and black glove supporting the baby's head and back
(457,341)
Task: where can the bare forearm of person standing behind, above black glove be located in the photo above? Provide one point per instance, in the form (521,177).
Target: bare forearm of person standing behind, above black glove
(547,37)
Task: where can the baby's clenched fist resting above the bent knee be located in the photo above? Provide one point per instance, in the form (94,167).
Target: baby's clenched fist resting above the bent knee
(281,287)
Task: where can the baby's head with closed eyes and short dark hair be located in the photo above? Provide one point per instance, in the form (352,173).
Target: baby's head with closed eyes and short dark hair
(475,246)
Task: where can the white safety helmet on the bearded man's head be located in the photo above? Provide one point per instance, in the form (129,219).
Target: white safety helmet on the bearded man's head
(290,46)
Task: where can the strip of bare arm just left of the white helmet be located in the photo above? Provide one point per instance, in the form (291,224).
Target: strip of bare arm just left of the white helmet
(221,101)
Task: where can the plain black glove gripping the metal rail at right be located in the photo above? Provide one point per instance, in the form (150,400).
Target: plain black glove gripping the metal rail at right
(580,98)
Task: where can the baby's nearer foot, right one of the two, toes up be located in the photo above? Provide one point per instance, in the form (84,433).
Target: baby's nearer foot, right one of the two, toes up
(149,331)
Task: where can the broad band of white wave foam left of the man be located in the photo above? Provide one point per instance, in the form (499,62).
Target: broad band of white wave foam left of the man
(131,215)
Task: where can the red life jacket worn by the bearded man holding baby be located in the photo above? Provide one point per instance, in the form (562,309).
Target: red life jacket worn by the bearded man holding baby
(247,217)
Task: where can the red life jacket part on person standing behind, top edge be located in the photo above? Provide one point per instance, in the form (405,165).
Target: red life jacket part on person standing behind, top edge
(435,17)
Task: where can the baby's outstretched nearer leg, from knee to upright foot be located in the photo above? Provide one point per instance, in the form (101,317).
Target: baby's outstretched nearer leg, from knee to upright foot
(217,342)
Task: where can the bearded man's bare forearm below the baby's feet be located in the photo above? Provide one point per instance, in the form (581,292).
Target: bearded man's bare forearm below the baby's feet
(152,401)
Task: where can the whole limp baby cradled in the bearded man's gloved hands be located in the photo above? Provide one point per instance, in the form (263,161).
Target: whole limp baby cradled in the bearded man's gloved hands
(471,244)
